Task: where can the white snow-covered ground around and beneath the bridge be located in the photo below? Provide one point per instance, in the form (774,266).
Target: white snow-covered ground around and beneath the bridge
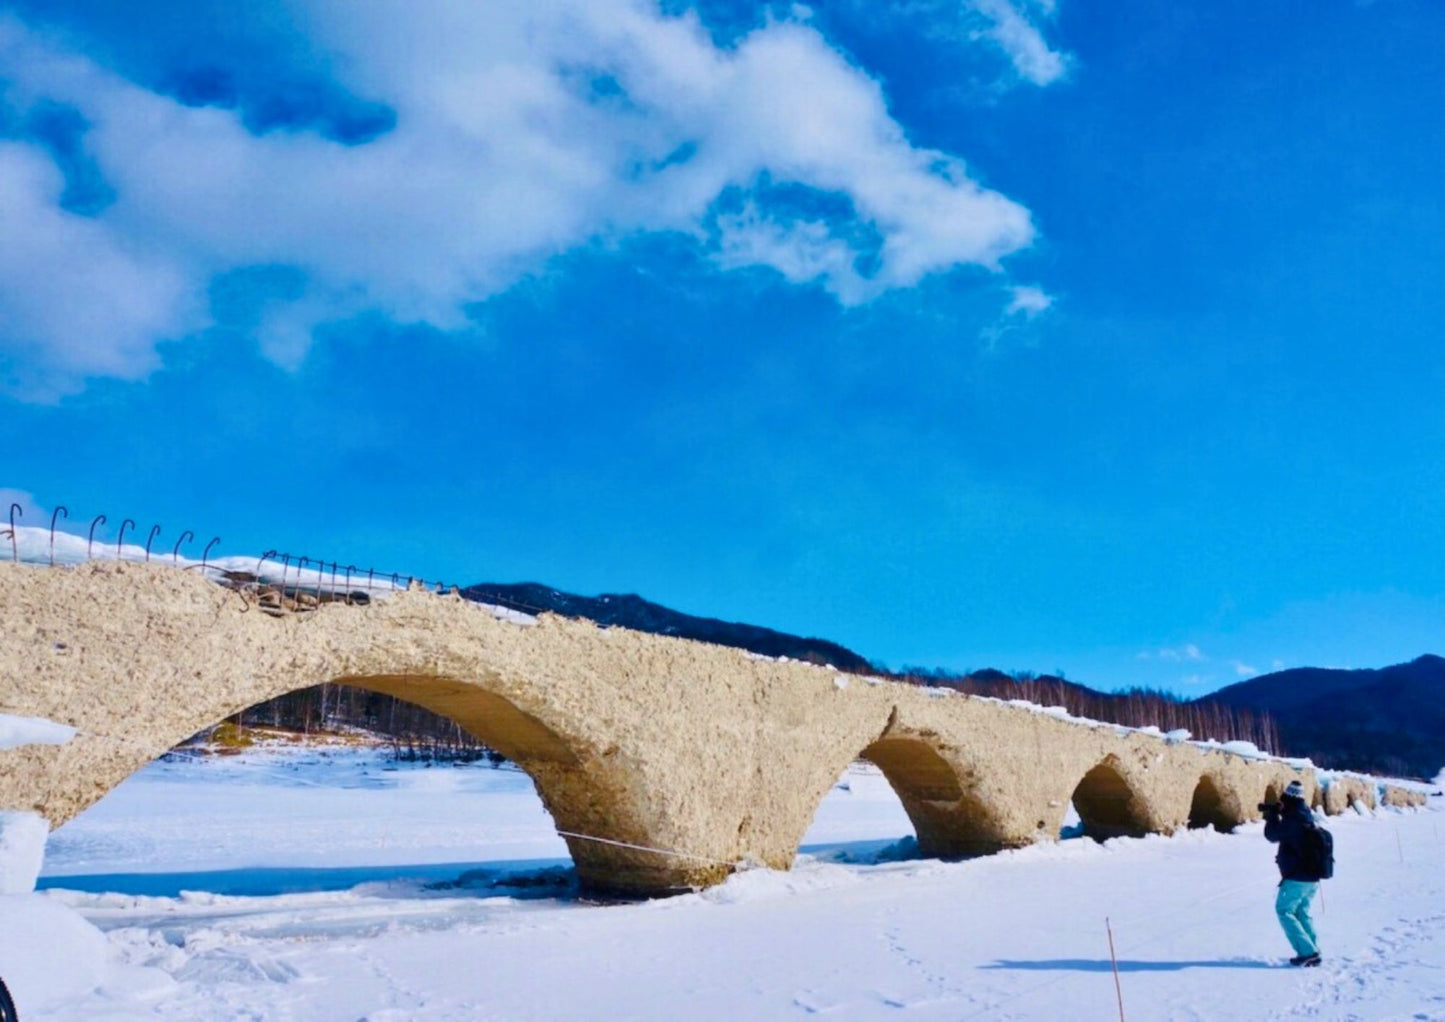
(298,885)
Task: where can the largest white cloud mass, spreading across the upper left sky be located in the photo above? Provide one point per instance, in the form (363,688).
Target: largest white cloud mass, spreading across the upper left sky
(504,157)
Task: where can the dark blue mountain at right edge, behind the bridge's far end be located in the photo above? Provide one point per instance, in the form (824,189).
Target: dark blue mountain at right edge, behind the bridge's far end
(1388,721)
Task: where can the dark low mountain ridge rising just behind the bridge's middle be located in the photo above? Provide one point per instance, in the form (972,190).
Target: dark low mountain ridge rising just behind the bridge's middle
(632,612)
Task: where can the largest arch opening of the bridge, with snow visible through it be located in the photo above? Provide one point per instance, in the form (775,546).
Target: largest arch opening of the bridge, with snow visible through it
(333,810)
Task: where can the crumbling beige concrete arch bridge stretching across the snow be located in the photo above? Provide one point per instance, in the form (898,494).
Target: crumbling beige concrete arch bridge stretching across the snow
(665,763)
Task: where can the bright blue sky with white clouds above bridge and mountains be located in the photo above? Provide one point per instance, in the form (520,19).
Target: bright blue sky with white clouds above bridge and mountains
(1015,333)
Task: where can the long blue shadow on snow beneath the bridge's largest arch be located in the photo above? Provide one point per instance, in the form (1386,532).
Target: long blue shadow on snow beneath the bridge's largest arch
(518,878)
